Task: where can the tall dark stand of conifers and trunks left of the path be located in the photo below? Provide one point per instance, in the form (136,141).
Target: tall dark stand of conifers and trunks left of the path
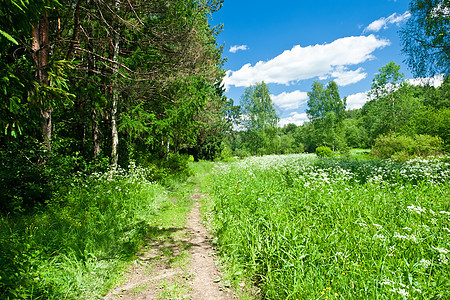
(92,84)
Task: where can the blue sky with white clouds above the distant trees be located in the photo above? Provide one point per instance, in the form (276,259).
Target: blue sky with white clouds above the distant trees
(290,44)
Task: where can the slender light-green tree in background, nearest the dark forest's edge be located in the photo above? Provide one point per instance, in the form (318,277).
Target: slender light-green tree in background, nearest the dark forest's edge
(259,117)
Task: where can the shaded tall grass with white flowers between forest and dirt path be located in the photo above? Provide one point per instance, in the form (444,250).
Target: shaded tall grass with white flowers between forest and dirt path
(76,247)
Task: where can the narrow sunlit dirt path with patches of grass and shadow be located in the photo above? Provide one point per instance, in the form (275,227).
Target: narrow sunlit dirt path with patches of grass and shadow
(179,265)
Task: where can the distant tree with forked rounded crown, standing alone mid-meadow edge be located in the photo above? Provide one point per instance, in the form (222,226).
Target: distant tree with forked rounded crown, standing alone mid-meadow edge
(326,111)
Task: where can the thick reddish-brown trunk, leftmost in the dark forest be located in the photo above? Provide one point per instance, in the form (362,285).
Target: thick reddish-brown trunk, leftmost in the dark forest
(39,52)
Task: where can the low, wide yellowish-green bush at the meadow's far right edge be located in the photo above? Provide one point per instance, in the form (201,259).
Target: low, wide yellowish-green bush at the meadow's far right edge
(400,147)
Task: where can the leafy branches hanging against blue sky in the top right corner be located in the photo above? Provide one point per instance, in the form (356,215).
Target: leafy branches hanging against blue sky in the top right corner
(426,37)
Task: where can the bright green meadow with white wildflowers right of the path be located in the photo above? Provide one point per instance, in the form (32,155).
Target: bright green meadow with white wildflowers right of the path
(307,228)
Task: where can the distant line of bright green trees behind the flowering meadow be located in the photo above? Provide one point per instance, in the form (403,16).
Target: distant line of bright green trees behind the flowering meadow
(396,108)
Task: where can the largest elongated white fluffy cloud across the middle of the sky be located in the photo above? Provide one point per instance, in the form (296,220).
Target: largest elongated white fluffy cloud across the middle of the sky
(300,63)
